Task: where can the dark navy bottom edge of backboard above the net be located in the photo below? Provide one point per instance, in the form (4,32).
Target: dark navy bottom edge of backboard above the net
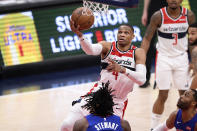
(120,3)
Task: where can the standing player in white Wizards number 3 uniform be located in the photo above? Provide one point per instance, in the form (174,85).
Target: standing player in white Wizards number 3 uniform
(171,24)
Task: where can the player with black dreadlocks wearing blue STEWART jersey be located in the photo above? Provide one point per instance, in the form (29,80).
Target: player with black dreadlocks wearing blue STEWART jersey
(101,118)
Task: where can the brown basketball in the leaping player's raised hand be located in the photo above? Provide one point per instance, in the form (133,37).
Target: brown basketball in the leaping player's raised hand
(84,20)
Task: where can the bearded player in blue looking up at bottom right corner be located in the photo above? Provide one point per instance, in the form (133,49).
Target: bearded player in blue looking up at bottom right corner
(185,118)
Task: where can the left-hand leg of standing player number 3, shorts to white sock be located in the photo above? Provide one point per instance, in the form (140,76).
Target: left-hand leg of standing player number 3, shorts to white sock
(163,79)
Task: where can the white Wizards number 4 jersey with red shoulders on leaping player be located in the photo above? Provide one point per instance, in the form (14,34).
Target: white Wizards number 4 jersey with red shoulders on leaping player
(118,81)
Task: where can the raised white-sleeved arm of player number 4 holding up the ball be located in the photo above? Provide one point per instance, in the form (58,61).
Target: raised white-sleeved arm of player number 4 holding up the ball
(89,48)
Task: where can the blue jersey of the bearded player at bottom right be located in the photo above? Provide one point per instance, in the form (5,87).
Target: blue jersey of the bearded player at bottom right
(187,126)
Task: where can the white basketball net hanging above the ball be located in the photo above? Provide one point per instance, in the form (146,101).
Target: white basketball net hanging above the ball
(95,7)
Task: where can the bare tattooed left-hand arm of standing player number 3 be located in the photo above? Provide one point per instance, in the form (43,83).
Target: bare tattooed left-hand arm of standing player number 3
(155,22)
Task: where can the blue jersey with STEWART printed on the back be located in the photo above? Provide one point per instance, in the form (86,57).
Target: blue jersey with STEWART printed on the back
(97,123)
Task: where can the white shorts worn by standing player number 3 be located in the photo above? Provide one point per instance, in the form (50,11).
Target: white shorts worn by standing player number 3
(172,71)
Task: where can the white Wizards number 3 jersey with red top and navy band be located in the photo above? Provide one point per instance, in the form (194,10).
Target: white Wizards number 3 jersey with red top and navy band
(172,40)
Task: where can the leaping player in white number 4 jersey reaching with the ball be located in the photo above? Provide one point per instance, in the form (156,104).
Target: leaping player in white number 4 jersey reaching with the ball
(122,65)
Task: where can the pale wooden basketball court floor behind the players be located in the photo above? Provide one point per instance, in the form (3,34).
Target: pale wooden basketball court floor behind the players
(45,110)
